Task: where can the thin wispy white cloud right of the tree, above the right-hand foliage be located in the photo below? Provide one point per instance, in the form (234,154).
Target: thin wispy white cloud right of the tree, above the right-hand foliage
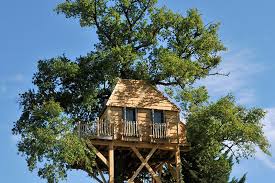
(242,71)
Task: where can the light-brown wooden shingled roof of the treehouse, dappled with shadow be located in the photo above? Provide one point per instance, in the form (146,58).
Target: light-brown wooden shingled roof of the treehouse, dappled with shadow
(139,94)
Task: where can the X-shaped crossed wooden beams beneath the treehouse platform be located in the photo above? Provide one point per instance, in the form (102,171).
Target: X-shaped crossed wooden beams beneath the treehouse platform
(145,163)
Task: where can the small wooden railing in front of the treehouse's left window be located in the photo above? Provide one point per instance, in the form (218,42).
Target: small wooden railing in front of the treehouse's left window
(130,128)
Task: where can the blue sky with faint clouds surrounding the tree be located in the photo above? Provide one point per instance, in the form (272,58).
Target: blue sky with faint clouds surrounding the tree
(30,30)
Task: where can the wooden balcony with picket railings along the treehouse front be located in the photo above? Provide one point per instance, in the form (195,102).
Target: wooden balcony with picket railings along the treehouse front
(125,130)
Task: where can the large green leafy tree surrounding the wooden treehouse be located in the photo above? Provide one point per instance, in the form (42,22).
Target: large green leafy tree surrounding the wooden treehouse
(136,40)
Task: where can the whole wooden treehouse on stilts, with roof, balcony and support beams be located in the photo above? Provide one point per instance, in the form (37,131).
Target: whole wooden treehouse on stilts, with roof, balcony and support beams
(138,130)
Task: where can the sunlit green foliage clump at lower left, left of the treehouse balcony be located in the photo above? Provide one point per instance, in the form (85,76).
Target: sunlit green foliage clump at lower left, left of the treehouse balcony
(48,137)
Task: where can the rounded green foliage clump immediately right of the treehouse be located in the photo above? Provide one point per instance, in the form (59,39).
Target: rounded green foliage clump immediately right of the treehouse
(220,133)
